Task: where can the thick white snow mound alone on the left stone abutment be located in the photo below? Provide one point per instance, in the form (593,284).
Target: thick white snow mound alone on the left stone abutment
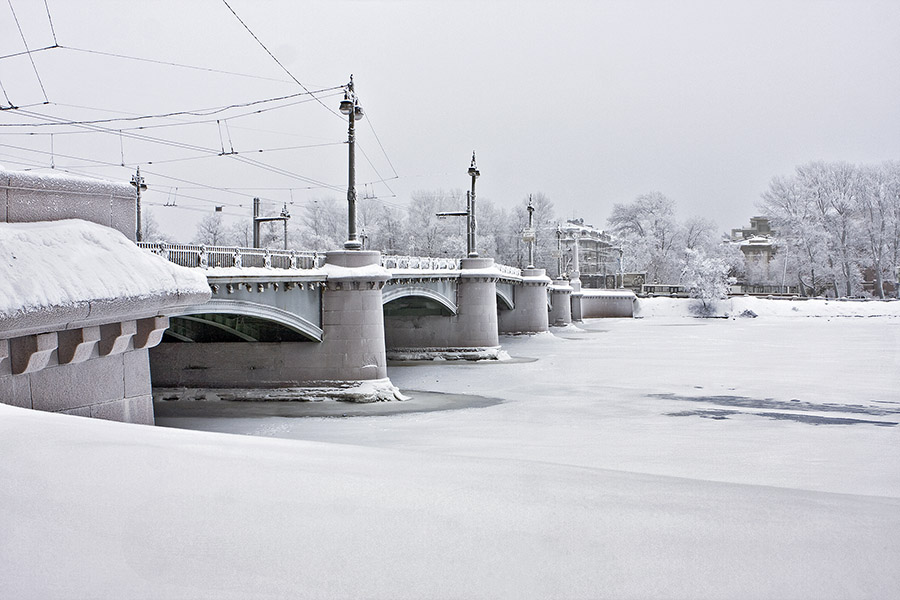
(64,263)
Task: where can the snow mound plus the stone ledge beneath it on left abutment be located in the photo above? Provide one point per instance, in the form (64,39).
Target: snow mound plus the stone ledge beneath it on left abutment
(63,274)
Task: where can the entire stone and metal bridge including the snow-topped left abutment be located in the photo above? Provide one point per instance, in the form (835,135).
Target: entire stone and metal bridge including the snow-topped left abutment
(105,319)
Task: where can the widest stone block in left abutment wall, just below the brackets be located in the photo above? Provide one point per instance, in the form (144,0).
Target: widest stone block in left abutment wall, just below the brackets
(71,386)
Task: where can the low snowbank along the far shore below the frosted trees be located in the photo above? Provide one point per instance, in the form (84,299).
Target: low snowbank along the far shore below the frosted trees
(771,307)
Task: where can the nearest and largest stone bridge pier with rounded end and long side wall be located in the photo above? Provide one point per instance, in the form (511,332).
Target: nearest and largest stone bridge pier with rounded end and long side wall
(346,362)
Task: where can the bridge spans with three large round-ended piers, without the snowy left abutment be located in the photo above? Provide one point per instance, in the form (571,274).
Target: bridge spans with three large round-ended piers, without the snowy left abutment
(337,316)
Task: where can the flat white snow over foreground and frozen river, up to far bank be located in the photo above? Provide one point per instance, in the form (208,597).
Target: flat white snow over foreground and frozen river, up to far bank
(663,457)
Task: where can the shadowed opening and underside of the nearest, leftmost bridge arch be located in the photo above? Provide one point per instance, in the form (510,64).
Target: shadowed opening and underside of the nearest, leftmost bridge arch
(239,321)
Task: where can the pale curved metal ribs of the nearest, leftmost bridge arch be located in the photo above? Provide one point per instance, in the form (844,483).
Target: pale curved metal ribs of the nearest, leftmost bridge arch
(266,313)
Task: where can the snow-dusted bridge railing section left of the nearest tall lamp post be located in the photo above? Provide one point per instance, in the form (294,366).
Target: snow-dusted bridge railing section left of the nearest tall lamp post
(199,255)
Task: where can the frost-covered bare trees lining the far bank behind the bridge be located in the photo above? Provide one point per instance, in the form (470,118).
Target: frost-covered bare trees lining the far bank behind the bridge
(831,221)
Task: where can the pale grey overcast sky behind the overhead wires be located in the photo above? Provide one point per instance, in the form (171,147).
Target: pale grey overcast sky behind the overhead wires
(591,103)
